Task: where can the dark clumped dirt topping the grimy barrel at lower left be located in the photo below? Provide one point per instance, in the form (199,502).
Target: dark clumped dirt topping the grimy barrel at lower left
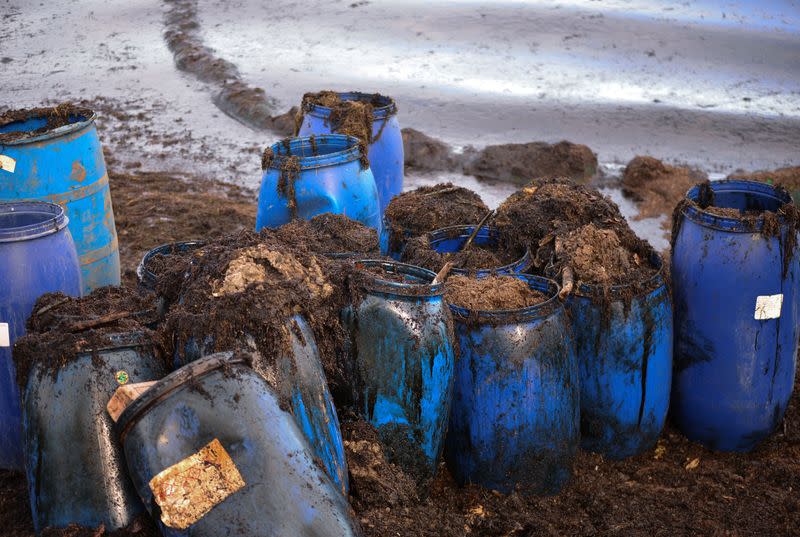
(61,327)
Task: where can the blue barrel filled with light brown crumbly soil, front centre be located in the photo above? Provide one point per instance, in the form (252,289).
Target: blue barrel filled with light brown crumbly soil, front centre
(515,420)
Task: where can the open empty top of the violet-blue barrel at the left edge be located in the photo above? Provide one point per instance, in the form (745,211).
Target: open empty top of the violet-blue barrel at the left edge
(27,220)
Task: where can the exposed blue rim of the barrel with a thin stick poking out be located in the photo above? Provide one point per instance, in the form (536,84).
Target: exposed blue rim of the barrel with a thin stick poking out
(452,239)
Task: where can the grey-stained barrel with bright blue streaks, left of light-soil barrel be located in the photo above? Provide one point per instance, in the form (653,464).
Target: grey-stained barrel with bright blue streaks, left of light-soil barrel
(402,336)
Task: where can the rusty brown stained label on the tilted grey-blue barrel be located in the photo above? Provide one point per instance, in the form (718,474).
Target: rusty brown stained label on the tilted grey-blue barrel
(189,489)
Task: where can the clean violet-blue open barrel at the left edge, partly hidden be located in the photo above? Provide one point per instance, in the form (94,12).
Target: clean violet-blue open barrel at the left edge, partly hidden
(37,256)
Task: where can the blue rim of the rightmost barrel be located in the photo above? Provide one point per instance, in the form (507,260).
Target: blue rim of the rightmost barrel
(707,219)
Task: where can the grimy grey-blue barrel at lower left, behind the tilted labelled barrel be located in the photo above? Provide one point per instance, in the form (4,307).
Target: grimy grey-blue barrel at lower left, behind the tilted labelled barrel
(75,467)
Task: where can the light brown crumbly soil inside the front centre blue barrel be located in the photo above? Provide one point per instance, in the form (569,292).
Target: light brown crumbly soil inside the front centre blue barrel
(491,293)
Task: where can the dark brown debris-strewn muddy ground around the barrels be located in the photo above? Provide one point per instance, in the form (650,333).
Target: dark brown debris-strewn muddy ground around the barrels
(679,488)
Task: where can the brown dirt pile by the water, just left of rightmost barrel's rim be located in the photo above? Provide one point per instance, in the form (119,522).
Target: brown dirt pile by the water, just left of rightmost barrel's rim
(657,187)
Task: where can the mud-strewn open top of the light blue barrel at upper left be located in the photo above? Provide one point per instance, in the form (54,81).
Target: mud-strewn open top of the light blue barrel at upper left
(35,124)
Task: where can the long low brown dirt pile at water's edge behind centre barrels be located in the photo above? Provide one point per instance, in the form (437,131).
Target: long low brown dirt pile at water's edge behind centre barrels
(520,163)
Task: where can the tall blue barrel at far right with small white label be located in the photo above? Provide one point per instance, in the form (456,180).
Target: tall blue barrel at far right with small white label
(735,287)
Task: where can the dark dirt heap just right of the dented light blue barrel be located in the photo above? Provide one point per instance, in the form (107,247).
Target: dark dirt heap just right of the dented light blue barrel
(432,207)
